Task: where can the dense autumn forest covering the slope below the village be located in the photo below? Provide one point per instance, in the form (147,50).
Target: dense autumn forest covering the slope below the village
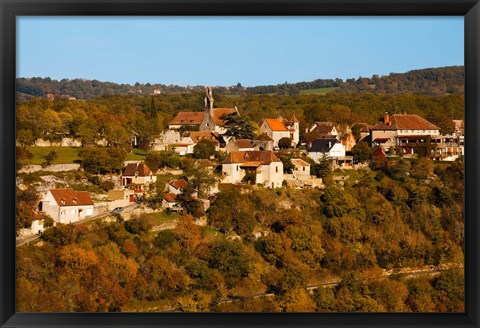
(405,214)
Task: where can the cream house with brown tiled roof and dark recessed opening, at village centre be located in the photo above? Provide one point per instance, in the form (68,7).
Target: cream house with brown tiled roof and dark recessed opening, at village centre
(263,166)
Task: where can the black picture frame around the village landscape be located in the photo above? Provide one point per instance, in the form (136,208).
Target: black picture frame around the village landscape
(470,9)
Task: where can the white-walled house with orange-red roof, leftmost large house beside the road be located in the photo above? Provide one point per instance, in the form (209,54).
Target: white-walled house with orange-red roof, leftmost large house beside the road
(67,205)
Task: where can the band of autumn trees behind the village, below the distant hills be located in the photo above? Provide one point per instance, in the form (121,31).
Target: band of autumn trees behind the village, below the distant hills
(118,119)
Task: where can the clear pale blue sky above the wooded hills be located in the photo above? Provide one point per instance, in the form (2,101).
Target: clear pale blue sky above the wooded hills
(228,50)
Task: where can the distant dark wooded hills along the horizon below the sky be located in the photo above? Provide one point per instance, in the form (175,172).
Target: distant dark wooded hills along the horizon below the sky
(433,81)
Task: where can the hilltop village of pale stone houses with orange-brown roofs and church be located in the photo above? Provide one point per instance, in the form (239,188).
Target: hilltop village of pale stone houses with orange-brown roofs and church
(250,161)
